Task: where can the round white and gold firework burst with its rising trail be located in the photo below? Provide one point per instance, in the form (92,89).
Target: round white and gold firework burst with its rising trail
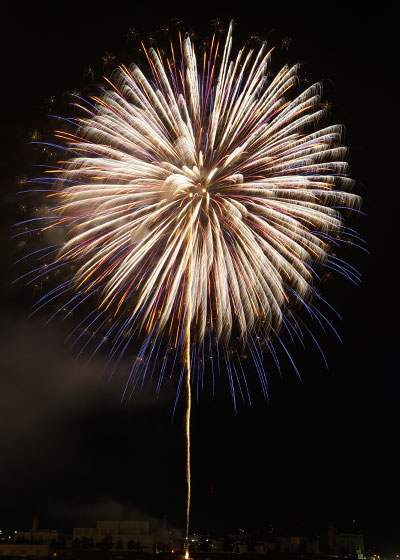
(197,206)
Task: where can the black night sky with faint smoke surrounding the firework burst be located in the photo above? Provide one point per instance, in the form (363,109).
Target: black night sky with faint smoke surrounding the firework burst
(321,451)
